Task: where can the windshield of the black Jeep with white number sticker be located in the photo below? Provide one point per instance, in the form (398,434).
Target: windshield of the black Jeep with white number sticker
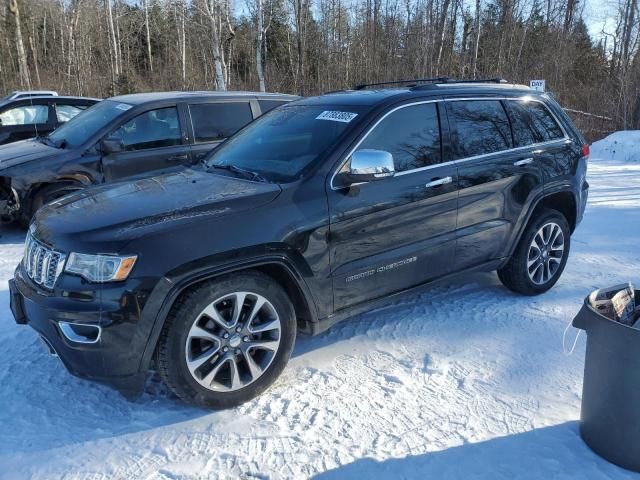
(282,144)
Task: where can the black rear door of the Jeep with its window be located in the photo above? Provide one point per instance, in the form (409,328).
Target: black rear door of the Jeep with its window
(498,178)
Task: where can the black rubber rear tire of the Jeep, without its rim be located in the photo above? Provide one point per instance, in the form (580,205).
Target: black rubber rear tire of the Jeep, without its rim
(515,274)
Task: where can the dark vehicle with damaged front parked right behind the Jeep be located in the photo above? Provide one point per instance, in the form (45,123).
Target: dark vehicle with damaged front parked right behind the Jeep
(121,137)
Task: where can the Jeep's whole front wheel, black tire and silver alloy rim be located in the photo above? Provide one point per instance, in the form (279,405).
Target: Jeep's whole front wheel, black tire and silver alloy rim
(227,341)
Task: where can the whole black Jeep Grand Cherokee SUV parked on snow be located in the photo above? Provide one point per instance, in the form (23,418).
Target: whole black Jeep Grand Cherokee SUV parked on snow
(310,214)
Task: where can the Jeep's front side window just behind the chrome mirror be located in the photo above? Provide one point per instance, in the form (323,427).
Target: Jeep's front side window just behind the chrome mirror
(411,134)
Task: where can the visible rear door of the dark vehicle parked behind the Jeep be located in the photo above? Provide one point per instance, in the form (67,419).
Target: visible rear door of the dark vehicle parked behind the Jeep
(213,122)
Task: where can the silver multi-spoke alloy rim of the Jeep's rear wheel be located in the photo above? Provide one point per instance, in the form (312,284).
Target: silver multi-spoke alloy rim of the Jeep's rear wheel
(545,253)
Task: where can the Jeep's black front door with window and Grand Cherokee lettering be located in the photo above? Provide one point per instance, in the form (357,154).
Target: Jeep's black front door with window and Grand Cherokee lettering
(392,234)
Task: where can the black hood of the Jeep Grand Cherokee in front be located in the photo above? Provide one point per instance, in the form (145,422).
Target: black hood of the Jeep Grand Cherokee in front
(129,209)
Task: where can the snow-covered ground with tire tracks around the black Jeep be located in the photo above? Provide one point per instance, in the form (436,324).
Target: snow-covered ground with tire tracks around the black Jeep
(464,381)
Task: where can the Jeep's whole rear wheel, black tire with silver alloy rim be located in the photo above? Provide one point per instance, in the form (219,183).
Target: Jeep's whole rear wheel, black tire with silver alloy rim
(541,255)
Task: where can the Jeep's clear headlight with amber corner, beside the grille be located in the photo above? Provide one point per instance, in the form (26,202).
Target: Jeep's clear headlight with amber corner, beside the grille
(100,268)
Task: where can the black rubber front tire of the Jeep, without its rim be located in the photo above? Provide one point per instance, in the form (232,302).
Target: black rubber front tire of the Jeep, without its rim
(171,353)
